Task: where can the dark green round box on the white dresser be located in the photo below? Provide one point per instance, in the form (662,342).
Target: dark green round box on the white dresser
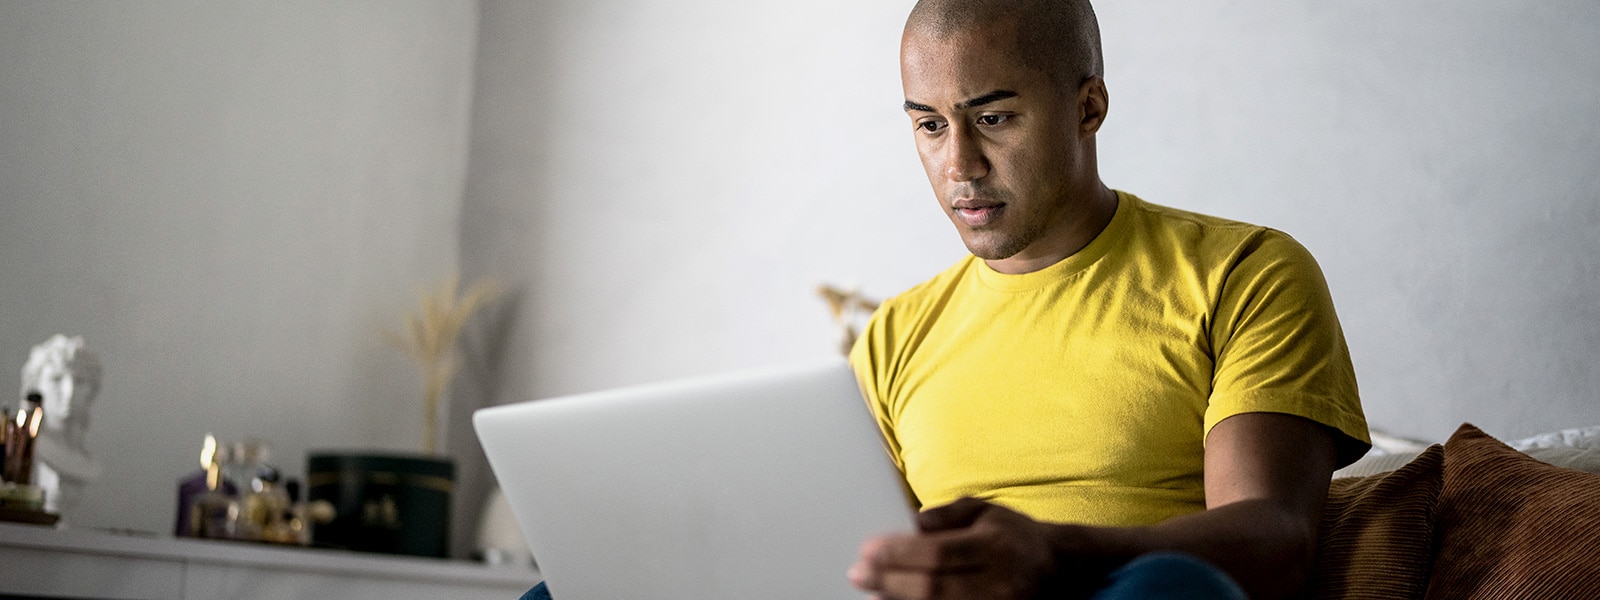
(385,502)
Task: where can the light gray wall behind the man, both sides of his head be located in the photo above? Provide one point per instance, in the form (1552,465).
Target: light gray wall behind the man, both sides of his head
(668,182)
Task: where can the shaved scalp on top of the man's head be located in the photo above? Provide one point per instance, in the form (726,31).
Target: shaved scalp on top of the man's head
(1058,38)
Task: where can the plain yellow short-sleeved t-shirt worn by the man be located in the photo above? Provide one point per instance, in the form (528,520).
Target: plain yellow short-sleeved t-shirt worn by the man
(1082,393)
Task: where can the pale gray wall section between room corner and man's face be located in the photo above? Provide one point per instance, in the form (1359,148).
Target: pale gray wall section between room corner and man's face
(670,183)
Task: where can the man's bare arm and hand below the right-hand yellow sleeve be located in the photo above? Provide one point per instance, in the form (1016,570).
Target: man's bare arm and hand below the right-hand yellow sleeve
(1266,478)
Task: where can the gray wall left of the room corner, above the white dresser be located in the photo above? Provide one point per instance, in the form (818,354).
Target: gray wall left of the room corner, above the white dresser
(230,202)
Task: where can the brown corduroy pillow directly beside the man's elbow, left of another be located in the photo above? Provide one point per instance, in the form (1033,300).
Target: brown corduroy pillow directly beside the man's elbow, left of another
(1377,534)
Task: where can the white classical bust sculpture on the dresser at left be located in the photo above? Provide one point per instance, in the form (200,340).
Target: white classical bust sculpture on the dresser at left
(66,377)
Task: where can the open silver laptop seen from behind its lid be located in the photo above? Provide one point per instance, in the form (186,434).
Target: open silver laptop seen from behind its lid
(750,486)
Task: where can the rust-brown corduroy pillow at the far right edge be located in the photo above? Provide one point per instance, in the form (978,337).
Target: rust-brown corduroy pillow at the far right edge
(1511,527)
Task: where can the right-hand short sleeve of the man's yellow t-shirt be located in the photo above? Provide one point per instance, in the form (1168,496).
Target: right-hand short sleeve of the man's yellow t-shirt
(1279,346)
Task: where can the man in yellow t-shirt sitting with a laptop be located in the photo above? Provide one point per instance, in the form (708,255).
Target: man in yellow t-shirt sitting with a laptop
(1105,378)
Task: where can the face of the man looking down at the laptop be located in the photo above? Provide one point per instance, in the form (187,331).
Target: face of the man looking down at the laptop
(999,140)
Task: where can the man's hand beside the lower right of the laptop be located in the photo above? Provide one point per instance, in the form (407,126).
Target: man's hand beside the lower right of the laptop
(966,550)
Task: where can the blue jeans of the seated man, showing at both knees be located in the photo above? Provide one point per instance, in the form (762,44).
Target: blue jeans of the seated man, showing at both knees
(1153,577)
